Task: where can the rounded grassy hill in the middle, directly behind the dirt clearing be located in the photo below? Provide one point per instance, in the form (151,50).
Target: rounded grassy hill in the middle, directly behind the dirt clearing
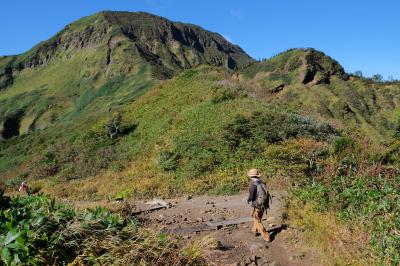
(182,139)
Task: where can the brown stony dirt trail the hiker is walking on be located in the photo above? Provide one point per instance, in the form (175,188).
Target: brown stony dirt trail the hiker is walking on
(195,219)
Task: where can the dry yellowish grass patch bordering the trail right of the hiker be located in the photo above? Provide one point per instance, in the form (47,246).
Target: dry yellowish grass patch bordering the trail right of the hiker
(338,243)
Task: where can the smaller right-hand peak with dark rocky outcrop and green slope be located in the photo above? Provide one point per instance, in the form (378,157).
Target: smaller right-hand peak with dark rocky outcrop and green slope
(315,84)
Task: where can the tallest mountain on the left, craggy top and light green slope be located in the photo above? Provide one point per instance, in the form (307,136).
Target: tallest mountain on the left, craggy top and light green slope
(99,62)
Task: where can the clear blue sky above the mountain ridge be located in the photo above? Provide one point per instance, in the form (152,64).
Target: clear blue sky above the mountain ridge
(360,34)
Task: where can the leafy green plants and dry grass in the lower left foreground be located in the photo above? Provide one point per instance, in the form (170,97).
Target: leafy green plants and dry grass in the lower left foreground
(37,230)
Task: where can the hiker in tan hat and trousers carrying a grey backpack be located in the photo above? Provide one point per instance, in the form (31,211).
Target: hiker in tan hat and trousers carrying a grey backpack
(259,198)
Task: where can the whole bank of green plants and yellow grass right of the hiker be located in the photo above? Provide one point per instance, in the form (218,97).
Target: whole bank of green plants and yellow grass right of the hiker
(355,190)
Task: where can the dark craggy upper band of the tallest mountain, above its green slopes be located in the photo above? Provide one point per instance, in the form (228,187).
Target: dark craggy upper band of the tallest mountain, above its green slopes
(167,46)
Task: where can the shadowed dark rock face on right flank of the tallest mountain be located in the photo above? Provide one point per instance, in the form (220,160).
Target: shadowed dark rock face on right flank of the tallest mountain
(178,45)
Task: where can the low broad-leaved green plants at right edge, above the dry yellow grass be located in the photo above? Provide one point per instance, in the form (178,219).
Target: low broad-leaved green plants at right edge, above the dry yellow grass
(372,200)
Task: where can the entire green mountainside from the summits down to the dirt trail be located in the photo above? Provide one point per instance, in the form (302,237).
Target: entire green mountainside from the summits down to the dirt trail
(114,108)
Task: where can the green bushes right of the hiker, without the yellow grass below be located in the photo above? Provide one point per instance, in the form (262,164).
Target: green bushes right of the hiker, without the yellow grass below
(361,186)
